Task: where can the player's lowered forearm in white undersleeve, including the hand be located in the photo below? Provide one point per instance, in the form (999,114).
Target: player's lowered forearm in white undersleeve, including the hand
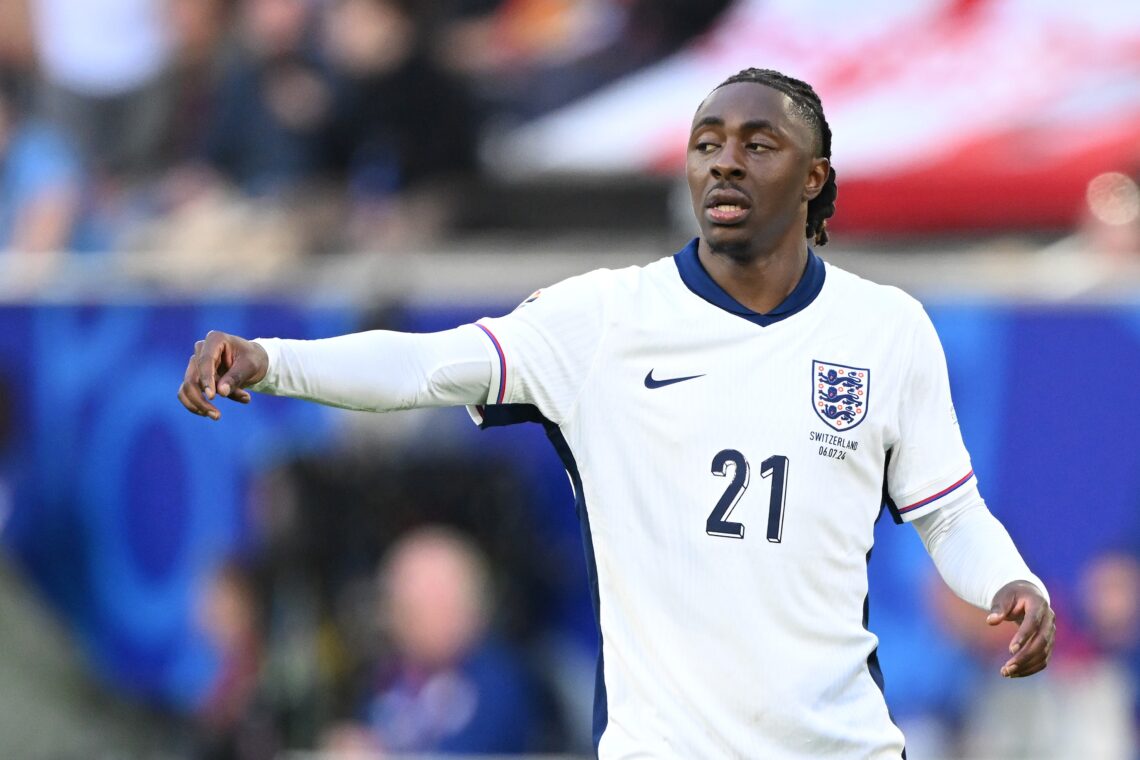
(978,559)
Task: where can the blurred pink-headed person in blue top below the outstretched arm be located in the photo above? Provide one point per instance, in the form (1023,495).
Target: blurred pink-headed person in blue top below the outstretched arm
(450,685)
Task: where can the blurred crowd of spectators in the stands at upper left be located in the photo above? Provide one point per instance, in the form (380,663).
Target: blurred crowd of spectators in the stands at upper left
(270,129)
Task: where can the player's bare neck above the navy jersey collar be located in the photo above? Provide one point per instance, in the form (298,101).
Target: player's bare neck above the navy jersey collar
(758,281)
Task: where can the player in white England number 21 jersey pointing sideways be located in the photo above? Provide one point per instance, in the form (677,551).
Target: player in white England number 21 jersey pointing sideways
(734,420)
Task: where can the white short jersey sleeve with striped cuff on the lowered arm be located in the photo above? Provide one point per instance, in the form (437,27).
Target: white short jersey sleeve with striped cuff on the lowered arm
(930,462)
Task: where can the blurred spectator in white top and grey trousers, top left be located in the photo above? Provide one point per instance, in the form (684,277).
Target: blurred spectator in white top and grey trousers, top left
(104,66)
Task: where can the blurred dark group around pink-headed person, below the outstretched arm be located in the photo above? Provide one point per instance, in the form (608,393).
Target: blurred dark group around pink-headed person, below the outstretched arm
(417,622)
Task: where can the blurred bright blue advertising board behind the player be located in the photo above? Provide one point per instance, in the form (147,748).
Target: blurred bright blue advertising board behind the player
(121,501)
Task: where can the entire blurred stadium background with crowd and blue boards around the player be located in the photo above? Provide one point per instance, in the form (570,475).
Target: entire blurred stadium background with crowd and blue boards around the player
(289,582)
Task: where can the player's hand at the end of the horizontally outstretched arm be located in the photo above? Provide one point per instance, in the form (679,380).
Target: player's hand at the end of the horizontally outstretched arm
(223,365)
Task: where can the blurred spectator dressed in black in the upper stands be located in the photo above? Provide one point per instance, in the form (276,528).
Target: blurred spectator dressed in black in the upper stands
(404,125)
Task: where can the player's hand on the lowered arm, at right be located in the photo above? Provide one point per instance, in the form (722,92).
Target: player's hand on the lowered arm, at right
(1023,603)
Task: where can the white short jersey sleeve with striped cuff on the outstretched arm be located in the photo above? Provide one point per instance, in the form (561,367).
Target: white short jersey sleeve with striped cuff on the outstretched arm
(543,352)
